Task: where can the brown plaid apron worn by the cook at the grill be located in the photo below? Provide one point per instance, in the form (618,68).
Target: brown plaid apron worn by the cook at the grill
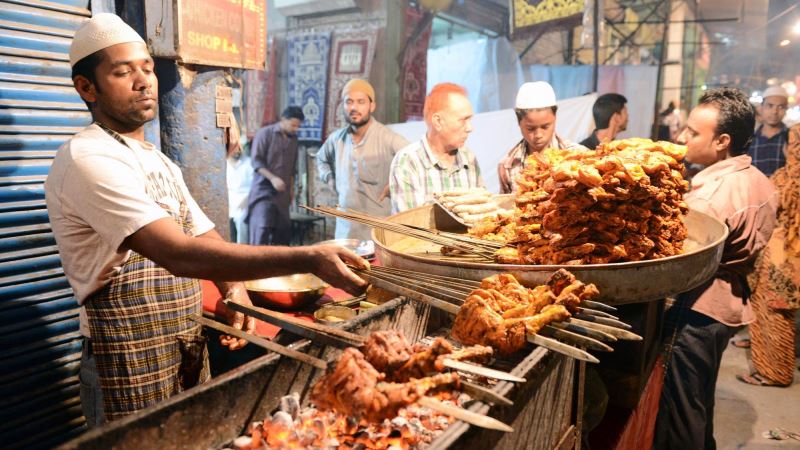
(145,346)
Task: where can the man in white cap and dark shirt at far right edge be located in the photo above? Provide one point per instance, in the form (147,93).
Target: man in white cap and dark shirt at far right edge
(768,146)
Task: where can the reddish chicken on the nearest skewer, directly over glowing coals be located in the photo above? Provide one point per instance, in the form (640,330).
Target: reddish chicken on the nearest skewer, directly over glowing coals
(356,389)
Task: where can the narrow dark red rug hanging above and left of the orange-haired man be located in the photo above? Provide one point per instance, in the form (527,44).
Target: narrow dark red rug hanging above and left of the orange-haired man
(415,67)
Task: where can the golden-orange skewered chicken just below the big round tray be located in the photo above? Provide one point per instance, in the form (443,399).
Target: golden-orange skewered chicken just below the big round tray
(502,312)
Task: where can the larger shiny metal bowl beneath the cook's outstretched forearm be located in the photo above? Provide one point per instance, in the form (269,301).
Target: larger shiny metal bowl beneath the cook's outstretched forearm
(287,292)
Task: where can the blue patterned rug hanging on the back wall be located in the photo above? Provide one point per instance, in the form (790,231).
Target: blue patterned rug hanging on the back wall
(308,75)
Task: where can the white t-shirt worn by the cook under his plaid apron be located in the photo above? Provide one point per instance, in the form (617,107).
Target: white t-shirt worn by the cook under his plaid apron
(98,193)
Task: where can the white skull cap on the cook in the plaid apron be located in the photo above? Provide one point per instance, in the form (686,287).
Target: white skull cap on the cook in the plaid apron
(101,31)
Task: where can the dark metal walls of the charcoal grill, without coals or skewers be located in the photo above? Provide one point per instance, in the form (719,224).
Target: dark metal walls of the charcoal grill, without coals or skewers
(212,415)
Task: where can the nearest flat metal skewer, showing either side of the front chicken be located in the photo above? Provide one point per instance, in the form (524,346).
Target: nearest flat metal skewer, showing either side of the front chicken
(454,411)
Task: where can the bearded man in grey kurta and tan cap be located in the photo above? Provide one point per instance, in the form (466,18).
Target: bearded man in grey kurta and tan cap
(355,160)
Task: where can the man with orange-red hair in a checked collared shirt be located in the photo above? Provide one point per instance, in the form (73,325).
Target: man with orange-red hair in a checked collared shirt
(438,162)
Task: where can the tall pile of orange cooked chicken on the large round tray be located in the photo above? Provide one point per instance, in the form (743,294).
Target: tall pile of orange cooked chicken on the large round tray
(621,202)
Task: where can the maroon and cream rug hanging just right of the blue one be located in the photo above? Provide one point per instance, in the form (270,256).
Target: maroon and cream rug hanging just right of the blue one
(352,52)
